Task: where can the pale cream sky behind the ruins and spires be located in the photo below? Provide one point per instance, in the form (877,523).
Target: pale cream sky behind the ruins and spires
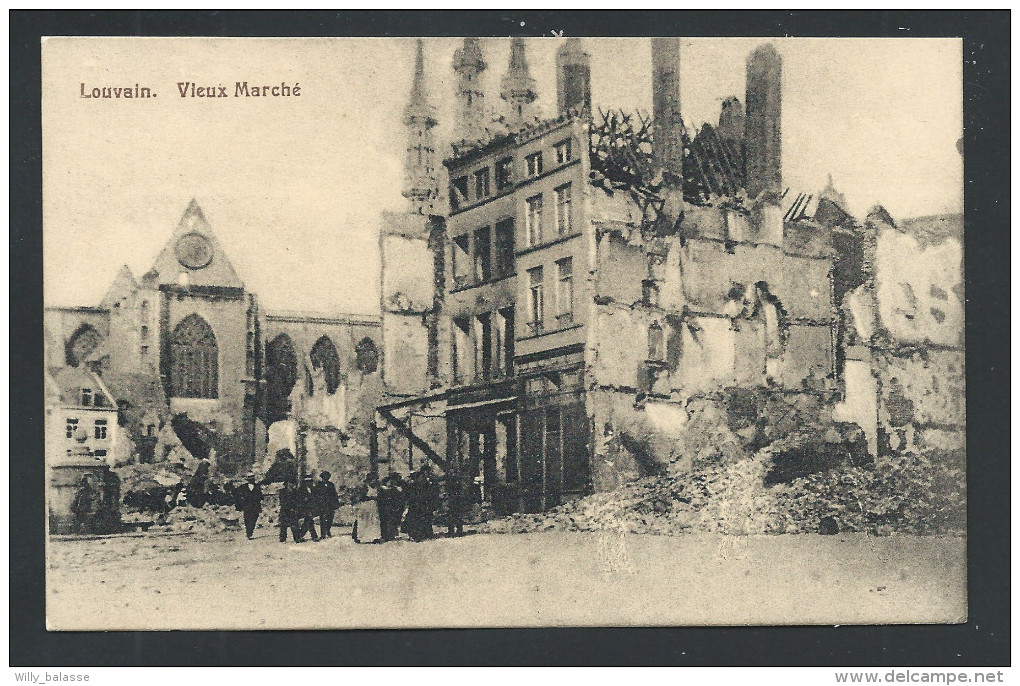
(294,187)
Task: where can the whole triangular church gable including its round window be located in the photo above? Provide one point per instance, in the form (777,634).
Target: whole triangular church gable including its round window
(193,256)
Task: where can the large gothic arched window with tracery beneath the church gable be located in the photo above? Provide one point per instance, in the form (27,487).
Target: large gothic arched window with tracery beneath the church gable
(194,360)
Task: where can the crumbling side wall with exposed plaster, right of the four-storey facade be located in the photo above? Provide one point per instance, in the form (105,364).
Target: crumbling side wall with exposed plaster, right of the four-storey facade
(686,365)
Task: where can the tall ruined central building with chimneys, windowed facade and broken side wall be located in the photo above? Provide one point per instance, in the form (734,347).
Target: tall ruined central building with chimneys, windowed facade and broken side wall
(605,294)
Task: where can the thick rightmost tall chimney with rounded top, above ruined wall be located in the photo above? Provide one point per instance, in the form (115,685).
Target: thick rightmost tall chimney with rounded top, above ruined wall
(763,139)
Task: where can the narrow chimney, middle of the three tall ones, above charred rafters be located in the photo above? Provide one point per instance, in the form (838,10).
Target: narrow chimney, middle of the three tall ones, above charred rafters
(668,141)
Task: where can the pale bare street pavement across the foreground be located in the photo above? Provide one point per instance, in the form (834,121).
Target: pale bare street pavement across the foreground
(224,582)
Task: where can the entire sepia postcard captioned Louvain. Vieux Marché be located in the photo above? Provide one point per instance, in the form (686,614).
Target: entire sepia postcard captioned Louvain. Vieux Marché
(503,333)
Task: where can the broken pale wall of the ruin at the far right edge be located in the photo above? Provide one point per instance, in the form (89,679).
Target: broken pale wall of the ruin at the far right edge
(903,332)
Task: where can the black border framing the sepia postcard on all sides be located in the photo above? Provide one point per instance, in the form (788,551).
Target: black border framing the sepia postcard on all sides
(985,641)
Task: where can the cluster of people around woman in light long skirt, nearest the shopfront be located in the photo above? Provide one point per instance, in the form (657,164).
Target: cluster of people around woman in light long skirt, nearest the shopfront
(396,505)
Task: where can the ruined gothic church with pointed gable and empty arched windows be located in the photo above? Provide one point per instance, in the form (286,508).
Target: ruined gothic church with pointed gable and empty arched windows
(197,368)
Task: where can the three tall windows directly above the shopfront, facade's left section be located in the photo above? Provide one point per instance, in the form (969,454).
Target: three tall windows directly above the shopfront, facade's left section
(483,346)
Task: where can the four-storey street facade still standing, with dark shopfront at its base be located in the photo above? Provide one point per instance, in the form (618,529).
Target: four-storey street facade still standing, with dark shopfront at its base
(519,306)
